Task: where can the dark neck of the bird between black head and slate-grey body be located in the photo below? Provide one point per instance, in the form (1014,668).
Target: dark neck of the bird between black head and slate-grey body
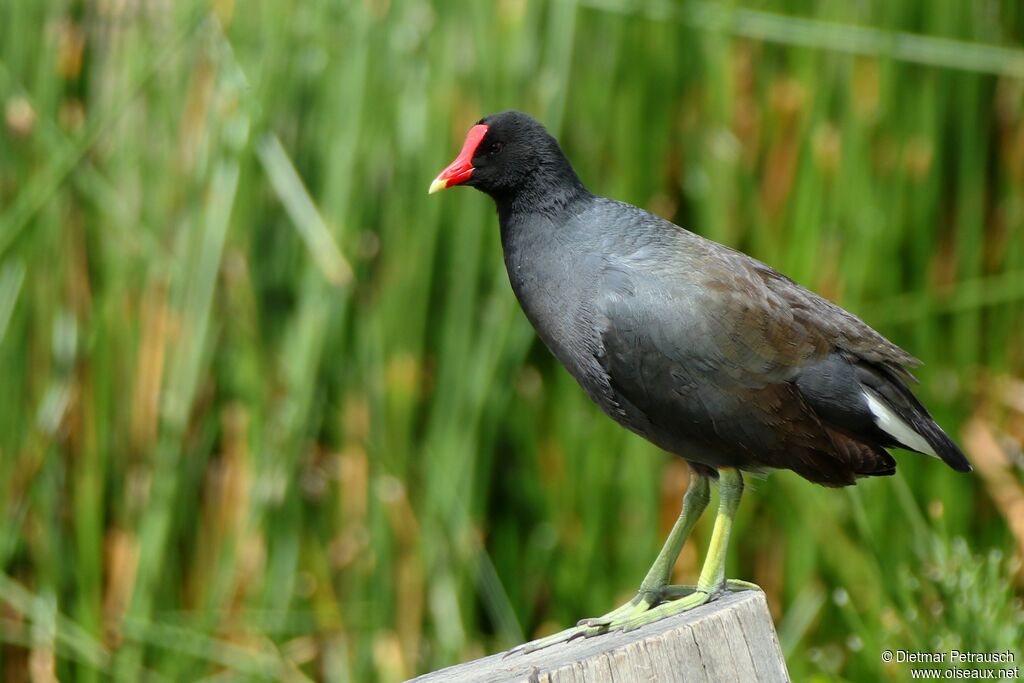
(549,192)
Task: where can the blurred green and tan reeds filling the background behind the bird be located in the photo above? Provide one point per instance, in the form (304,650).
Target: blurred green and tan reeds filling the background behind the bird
(270,412)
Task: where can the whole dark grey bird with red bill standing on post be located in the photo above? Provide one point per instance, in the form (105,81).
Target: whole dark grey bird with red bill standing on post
(701,350)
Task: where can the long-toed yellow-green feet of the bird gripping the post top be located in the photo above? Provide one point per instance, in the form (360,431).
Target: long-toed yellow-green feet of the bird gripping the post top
(646,608)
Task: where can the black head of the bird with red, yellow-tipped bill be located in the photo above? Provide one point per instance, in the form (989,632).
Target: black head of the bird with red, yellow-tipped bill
(507,155)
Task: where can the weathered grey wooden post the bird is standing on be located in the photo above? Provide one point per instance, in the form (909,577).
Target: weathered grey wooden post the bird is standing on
(731,639)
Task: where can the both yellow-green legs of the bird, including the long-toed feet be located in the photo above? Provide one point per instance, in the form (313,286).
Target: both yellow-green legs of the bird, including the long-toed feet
(657,600)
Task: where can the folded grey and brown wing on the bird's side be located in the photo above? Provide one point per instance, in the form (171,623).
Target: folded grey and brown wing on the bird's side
(715,355)
